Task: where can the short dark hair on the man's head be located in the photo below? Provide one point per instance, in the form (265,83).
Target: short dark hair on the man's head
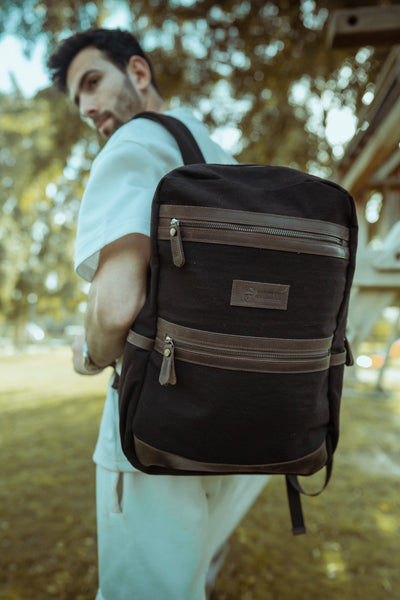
(116,44)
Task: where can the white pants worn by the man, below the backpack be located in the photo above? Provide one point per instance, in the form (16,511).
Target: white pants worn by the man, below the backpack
(158,534)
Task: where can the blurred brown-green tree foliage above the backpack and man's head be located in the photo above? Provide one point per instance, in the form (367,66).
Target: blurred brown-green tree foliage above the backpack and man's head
(235,60)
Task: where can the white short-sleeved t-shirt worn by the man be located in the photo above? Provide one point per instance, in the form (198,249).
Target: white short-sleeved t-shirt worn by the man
(117,201)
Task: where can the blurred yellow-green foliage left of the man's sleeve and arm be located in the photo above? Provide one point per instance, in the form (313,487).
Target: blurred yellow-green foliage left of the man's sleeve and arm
(39,204)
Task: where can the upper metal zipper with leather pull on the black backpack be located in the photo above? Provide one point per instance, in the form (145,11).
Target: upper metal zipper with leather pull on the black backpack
(177,250)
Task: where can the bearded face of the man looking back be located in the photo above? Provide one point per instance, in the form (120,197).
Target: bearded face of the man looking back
(106,97)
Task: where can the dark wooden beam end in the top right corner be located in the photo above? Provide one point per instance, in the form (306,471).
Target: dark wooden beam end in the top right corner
(366,26)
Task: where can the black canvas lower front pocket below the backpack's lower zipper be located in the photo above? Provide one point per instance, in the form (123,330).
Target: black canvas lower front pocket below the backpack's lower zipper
(232,417)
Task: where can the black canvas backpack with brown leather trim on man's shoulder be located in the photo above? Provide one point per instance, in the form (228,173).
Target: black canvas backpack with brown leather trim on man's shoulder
(235,363)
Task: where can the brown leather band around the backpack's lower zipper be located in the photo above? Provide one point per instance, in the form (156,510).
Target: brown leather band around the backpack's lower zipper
(244,353)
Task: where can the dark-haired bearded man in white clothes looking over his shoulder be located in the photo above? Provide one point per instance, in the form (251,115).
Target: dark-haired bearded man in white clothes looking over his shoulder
(157,535)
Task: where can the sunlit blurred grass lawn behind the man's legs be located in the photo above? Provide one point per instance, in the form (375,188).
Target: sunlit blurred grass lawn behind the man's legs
(49,423)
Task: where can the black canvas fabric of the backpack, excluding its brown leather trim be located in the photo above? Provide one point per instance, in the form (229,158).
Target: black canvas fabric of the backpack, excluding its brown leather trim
(215,415)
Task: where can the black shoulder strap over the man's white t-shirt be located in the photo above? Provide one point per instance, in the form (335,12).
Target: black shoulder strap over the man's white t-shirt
(188,146)
